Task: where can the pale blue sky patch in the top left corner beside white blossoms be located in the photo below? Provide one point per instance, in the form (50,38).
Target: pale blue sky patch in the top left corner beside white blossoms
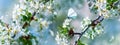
(5,6)
